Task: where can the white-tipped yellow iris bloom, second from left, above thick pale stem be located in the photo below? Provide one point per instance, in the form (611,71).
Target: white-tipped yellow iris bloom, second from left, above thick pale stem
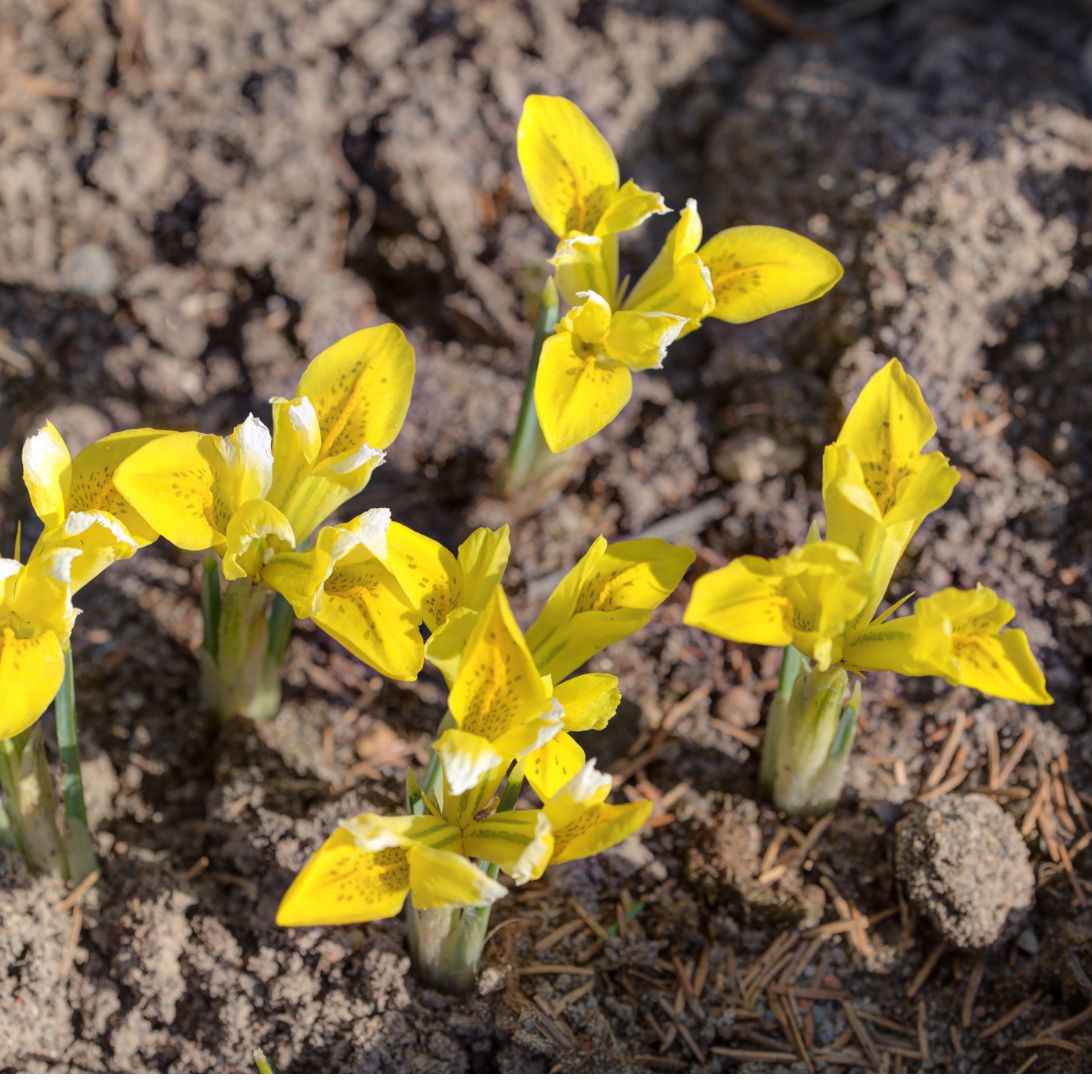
(254,499)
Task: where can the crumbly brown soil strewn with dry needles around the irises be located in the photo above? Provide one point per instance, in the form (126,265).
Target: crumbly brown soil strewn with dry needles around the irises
(195,197)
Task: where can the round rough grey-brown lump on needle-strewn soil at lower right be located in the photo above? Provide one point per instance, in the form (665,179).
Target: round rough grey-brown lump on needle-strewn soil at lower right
(966,869)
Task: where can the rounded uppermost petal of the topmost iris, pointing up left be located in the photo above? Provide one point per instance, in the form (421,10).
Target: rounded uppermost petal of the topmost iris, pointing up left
(568,167)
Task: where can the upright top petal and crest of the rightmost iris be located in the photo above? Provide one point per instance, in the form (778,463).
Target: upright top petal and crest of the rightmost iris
(877,484)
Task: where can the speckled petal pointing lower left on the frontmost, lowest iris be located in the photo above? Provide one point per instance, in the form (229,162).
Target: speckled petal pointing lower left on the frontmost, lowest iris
(343,884)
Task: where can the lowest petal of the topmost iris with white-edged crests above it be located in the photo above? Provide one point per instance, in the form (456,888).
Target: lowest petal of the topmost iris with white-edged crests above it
(584,381)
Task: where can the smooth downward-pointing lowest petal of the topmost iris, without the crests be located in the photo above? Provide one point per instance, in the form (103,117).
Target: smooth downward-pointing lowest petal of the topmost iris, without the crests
(577,397)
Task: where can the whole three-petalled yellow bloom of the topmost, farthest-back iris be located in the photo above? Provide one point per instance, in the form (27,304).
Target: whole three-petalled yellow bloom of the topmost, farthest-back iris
(584,379)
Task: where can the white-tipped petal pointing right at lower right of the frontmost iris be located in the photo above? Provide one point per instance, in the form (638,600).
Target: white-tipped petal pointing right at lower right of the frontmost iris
(581,821)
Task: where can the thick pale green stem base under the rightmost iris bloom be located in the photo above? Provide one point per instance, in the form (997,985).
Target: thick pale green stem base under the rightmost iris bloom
(810,734)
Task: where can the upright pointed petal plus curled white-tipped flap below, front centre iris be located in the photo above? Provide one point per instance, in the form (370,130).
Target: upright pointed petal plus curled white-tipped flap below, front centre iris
(502,707)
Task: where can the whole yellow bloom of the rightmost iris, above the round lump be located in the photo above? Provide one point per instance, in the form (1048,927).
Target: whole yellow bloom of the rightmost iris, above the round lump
(822,598)
